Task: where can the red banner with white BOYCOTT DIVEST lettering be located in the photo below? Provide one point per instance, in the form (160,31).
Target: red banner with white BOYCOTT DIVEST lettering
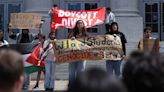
(68,18)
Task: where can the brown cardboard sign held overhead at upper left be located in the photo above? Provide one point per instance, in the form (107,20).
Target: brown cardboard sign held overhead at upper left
(25,21)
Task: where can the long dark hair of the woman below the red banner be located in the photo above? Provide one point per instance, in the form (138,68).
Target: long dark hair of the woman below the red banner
(76,29)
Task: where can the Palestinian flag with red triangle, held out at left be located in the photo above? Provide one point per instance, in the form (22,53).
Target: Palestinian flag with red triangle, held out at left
(30,54)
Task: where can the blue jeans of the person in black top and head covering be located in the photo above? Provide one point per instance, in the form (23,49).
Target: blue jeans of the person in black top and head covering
(114,66)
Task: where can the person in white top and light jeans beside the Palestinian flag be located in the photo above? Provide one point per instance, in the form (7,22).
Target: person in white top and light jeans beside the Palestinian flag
(48,54)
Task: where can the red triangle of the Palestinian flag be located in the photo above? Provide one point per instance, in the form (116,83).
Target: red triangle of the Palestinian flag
(34,57)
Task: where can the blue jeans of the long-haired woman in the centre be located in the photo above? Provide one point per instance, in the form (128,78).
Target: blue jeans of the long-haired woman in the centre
(74,69)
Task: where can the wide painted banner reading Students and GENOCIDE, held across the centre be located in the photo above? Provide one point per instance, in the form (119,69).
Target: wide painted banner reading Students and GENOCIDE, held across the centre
(99,47)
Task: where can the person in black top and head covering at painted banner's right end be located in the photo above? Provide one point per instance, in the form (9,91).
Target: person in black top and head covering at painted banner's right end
(114,65)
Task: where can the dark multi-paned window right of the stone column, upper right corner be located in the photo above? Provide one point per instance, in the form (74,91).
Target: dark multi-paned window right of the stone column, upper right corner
(152,12)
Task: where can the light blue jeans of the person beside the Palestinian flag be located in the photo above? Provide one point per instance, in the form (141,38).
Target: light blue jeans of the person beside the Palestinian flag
(49,74)
